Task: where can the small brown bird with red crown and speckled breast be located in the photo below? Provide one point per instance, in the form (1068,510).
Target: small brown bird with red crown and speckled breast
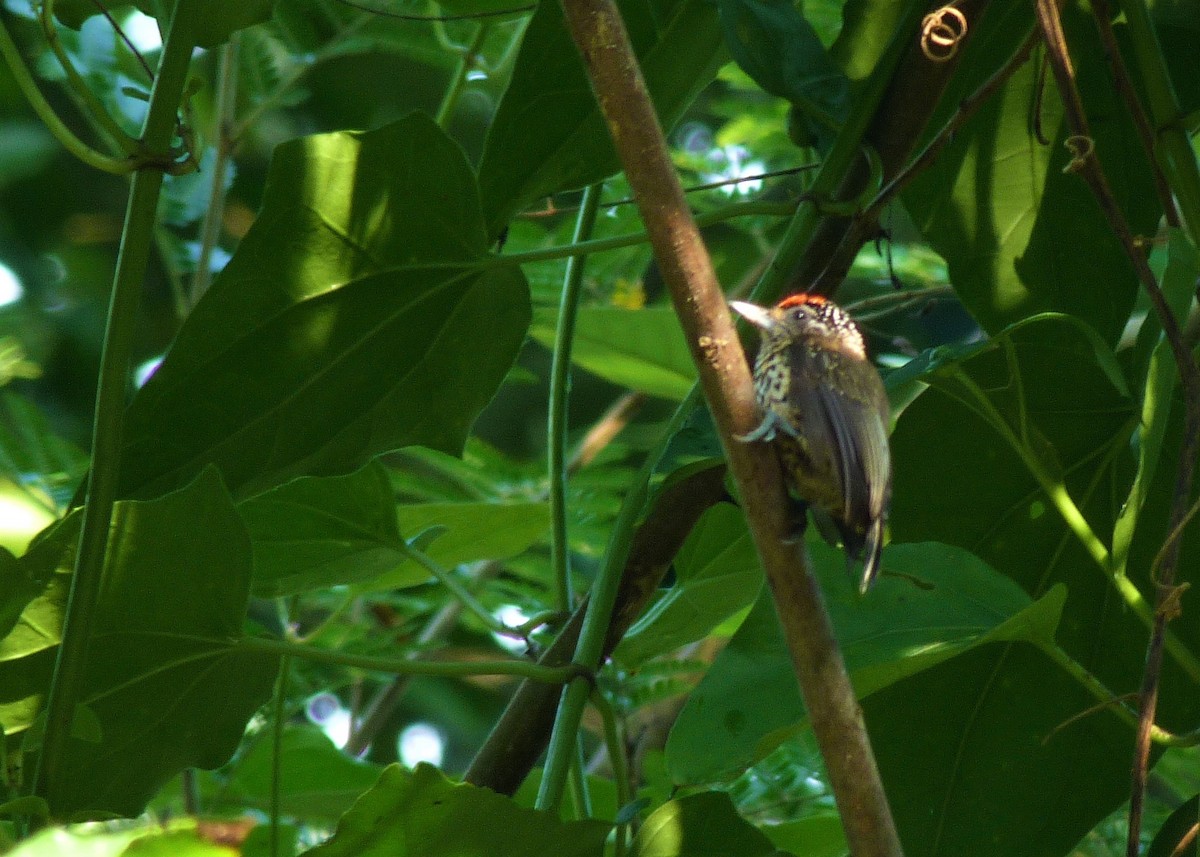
(825,407)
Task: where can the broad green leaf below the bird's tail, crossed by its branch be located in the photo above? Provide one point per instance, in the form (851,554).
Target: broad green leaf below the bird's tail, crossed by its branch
(933,603)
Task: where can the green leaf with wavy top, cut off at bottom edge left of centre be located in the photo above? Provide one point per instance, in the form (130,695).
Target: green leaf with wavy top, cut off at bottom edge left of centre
(421,813)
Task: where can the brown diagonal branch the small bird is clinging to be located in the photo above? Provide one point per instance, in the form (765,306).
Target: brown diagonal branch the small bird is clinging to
(837,720)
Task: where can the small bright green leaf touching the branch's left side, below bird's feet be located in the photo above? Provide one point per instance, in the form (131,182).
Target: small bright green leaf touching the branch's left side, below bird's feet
(717,574)
